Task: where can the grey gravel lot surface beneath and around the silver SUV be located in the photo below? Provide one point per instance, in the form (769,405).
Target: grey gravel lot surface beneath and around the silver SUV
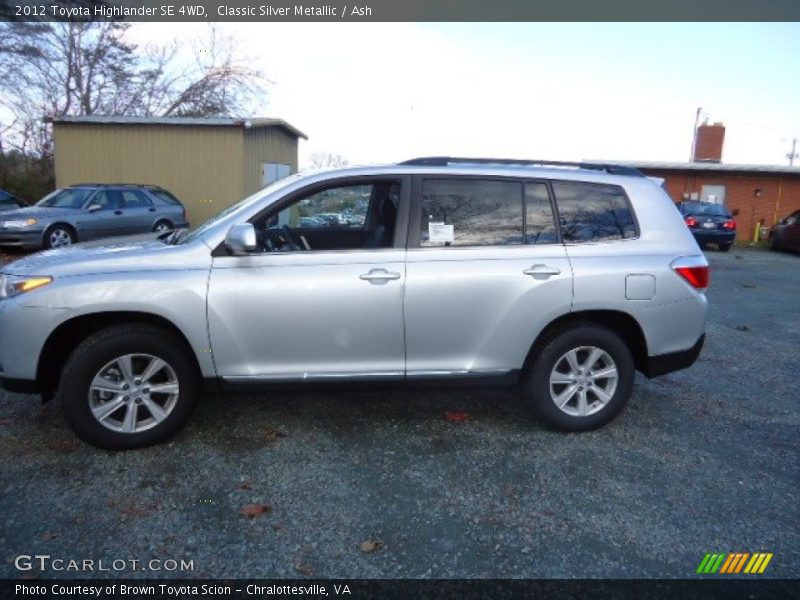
(704,460)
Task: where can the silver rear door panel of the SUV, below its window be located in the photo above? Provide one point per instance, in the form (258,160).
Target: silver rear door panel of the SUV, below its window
(476,310)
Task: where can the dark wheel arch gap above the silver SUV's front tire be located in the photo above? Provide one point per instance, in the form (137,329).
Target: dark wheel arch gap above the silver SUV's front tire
(64,338)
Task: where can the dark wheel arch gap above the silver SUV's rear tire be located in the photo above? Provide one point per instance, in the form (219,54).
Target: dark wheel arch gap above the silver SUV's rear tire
(621,323)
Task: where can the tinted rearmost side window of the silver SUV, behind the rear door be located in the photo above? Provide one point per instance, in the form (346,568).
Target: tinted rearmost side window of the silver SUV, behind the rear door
(592,212)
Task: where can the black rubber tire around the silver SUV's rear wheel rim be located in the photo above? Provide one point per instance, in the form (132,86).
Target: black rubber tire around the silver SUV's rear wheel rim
(536,385)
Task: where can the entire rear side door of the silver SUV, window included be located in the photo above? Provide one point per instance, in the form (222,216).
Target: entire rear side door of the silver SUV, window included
(485,274)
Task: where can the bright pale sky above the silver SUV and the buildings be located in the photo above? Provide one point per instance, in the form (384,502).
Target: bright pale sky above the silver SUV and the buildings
(386,92)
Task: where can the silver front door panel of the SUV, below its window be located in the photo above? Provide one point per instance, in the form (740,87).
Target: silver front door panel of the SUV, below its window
(308,315)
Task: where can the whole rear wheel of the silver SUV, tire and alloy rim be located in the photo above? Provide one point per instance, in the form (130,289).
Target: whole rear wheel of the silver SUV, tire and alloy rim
(581,378)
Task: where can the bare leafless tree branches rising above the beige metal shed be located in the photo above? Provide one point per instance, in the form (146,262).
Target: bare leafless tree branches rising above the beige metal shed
(80,68)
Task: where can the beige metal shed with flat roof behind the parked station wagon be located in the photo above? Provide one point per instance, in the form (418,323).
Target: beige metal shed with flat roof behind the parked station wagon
(207,163)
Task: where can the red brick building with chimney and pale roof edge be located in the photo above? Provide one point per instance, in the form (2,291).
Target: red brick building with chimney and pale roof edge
(756,195)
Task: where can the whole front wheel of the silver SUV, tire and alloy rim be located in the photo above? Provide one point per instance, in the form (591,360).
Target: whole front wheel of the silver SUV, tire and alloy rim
(128,387)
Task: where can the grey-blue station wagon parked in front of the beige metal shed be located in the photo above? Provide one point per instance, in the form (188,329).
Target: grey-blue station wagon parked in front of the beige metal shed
(90,211)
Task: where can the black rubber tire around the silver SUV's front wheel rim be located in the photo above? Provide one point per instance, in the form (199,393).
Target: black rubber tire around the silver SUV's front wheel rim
(96,353)
